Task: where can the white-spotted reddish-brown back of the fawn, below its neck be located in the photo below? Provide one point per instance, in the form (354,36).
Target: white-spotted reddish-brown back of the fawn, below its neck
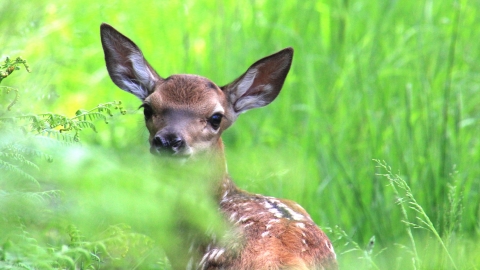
(269,233)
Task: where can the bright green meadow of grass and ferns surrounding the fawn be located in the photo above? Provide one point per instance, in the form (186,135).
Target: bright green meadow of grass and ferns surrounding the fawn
(376,132)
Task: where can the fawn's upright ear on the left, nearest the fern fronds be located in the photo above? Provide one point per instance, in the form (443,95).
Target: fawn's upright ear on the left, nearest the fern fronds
(126,65)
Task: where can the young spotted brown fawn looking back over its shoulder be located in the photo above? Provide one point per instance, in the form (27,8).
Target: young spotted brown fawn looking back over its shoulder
(186,115)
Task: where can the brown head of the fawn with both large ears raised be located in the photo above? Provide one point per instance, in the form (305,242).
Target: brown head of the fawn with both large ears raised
(186,114)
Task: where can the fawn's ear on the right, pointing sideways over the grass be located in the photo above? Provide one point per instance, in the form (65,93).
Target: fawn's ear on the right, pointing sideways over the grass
(261,83)
